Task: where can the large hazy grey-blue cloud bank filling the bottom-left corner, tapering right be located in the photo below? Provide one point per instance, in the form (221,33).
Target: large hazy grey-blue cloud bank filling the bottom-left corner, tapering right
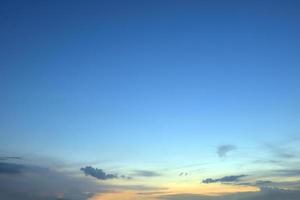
(31,182)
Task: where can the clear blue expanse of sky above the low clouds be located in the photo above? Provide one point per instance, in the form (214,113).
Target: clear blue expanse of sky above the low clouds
(110,79)
